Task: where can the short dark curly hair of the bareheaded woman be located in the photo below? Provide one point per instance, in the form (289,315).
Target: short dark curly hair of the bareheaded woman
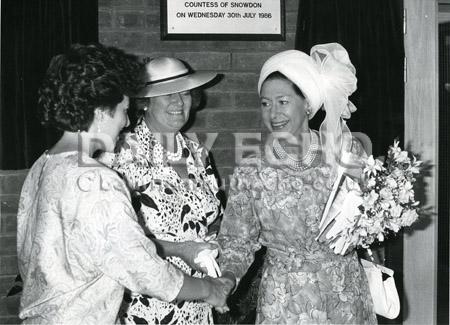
(83,79)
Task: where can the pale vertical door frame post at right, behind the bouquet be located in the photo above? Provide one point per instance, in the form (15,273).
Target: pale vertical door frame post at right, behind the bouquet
(421,134)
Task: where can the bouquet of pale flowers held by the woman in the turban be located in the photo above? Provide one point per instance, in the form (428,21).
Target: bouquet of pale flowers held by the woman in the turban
(382,201)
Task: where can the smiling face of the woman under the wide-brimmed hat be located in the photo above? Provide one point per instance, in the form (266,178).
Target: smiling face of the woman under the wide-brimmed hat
(168,113)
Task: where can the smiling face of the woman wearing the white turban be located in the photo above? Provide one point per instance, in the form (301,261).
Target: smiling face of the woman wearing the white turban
(283,109)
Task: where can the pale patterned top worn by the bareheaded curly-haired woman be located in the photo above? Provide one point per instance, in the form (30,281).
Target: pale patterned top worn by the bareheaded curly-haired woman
(79,244)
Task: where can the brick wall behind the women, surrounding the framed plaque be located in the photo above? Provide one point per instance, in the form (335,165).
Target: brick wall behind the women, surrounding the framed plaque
(232,105)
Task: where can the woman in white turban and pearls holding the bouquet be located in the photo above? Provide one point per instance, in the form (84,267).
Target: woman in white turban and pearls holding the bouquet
(277,200)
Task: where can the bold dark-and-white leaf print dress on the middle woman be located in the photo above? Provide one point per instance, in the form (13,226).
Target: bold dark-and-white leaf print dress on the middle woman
(172,209)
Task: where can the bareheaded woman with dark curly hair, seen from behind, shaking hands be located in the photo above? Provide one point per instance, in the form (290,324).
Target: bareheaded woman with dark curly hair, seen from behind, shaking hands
(79,243)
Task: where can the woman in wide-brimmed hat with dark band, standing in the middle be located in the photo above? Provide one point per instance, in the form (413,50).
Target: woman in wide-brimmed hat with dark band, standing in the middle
(173,185)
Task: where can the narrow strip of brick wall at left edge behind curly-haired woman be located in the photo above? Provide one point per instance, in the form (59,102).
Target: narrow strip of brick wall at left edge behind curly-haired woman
(10,186)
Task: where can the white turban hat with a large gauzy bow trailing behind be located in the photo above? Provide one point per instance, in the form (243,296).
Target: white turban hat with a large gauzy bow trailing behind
(326,79)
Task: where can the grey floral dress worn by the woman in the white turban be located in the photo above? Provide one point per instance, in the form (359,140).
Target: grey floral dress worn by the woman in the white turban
(303,281)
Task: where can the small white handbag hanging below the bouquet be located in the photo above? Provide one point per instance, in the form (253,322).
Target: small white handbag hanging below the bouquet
(384,293)
